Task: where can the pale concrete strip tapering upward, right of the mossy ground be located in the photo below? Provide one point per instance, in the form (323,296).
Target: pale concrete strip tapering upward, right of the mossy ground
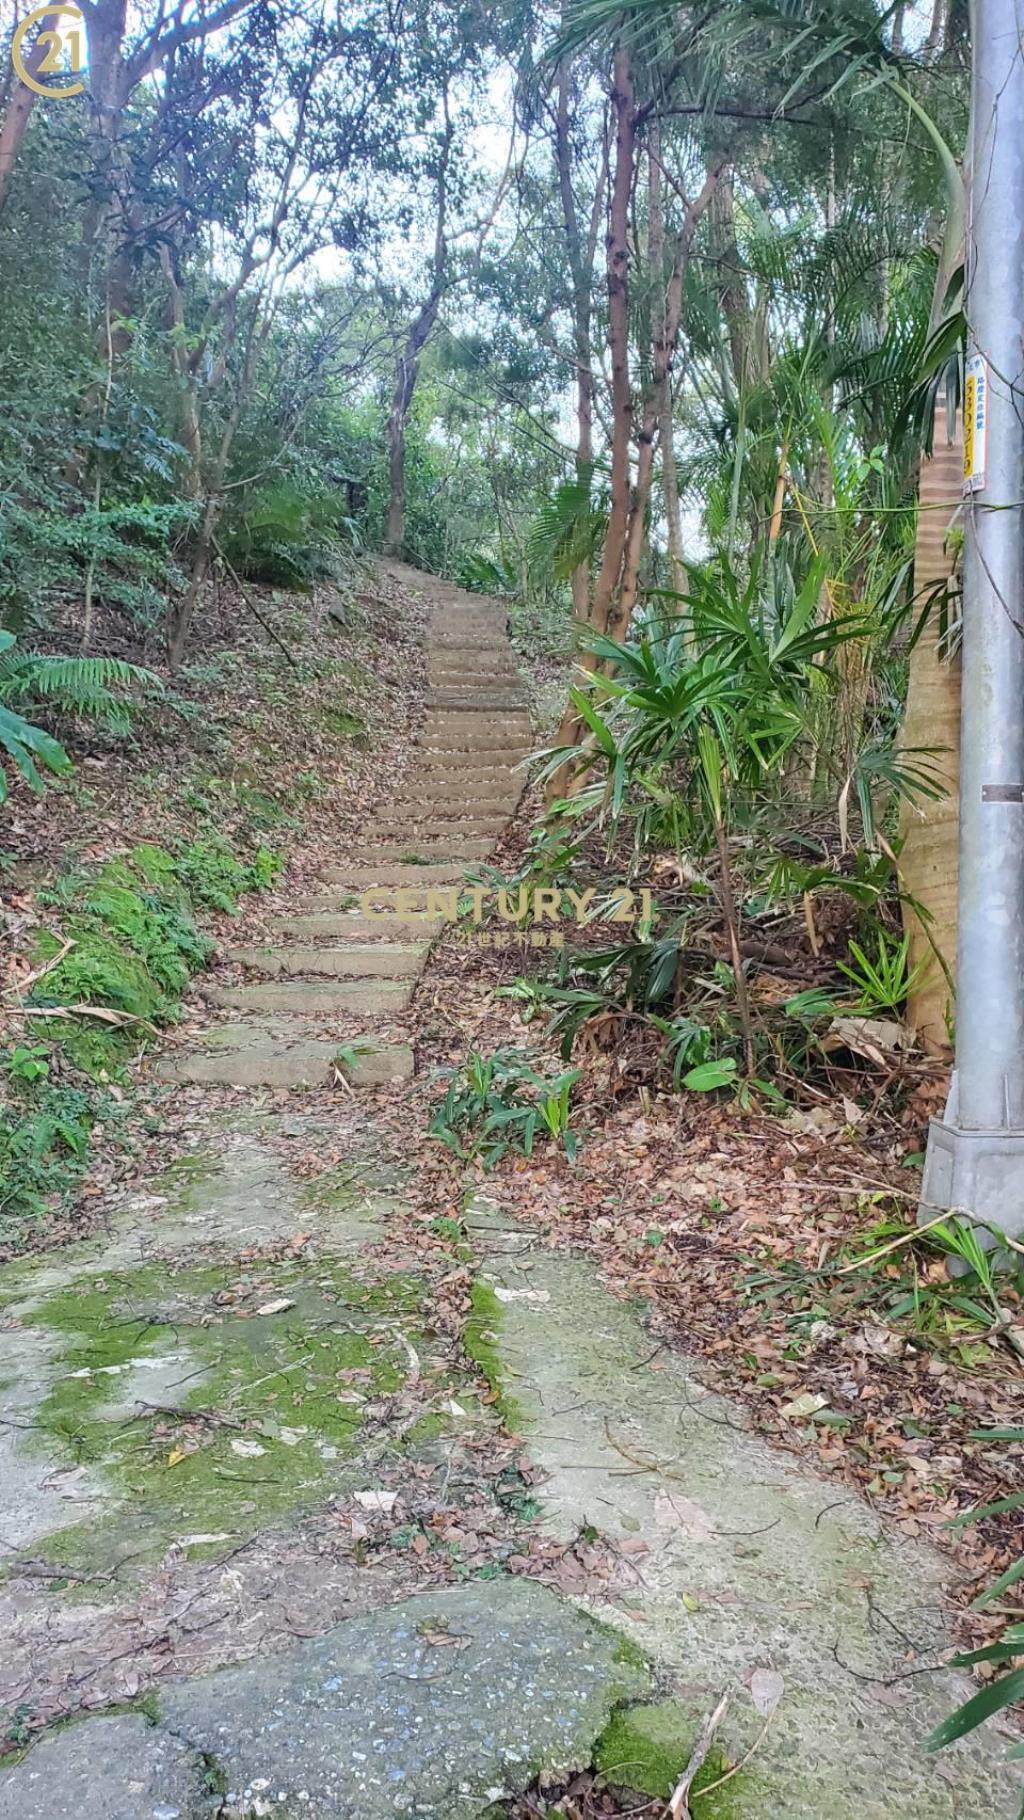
(745,1562)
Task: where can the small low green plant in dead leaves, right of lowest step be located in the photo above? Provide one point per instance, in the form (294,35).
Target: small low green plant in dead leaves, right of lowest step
(499,1104)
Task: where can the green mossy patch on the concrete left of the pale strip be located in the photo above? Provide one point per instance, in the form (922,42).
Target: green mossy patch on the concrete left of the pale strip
(205,1415)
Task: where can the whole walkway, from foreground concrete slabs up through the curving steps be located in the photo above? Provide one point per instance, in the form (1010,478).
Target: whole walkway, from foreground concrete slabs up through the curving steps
(250,1481)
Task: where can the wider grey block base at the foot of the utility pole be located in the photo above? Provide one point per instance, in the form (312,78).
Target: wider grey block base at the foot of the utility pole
(978,1173)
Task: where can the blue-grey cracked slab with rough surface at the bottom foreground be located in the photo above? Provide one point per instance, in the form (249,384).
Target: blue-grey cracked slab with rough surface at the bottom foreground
(434,1710)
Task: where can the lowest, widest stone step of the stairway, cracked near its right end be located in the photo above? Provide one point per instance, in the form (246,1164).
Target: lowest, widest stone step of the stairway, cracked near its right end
(257,1055)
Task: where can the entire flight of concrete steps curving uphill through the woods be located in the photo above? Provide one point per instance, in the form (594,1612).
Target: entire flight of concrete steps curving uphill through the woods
(343,964)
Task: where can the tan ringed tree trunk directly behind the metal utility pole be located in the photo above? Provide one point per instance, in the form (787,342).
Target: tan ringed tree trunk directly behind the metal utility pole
(930,829)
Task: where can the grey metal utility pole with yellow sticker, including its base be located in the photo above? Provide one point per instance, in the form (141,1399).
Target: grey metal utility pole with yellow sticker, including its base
(976,1153)
